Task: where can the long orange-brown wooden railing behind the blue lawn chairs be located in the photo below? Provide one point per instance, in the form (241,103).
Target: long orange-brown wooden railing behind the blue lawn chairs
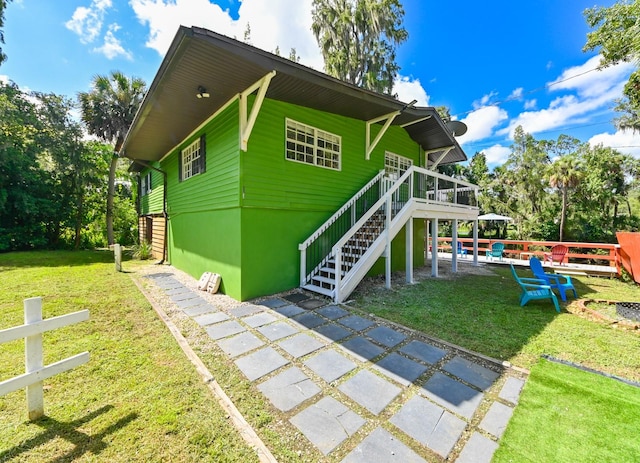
(584,253)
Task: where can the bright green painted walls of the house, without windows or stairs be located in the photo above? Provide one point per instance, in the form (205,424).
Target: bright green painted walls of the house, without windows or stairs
(245,216)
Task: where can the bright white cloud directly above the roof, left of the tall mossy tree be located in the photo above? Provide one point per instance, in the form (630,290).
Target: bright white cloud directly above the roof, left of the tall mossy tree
(285,24)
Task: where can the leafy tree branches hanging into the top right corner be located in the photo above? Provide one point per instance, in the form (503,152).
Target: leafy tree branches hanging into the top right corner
(617,36)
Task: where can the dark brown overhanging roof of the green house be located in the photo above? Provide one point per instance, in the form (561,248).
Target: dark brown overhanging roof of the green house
(224,66)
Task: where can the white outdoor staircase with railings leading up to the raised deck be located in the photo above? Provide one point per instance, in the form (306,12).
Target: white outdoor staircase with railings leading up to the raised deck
(358,234)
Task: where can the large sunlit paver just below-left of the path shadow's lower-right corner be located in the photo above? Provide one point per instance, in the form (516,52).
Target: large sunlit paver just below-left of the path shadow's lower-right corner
(429,424)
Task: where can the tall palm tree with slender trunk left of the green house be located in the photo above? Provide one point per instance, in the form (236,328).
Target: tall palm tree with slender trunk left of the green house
(108,111)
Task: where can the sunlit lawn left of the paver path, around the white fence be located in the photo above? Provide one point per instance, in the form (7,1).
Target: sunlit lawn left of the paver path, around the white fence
(138,398)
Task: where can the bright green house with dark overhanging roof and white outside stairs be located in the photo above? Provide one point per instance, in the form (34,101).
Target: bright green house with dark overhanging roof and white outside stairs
(274,175)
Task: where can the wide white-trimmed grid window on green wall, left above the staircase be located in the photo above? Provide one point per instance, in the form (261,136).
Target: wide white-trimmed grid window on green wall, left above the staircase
(312,146)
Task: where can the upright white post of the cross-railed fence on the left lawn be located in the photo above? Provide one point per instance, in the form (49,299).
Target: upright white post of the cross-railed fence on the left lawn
(33,357)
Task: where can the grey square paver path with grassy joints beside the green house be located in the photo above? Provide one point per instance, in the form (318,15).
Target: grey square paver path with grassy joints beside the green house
(333,372)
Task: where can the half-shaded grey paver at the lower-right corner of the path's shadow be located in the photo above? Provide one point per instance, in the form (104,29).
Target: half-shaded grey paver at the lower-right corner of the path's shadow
(452,394)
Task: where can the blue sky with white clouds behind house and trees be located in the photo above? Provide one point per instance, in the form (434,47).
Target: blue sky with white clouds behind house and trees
(496,64)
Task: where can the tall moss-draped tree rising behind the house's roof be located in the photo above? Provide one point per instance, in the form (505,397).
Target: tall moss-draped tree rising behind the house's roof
(358,38)
